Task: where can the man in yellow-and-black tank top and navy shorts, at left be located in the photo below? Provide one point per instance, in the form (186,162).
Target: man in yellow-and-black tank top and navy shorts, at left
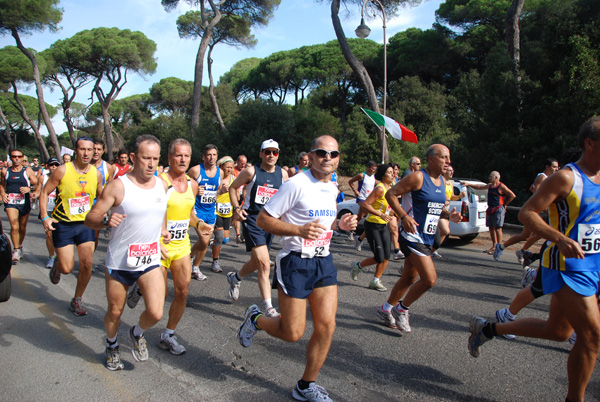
(78,184)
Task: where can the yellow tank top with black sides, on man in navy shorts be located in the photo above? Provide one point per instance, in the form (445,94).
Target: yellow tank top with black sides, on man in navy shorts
(76,193)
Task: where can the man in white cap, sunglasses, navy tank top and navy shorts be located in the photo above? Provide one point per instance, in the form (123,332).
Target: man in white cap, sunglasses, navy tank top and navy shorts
(262,181)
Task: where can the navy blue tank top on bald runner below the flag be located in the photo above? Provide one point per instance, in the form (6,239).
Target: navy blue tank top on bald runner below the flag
(427,205)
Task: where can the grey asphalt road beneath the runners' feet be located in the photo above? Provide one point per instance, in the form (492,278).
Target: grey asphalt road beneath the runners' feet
(48,354)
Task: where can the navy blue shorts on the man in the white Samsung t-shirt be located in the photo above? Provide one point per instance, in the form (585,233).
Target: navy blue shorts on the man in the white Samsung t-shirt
(298,276)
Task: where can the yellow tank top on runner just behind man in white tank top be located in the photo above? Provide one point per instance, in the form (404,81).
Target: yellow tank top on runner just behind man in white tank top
(179,207)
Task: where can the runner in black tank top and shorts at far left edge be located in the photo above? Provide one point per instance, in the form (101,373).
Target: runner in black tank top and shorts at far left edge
(15,188)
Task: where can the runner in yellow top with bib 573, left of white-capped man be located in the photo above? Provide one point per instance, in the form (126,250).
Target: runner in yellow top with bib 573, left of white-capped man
(224,211)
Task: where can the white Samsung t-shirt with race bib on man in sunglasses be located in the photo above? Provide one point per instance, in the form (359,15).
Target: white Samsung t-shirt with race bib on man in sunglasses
(300,200)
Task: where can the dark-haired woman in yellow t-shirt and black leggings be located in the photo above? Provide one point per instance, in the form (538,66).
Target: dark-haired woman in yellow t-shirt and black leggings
(376,228)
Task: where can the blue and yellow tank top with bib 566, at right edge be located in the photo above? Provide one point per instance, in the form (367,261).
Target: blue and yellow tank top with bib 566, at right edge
(577,217)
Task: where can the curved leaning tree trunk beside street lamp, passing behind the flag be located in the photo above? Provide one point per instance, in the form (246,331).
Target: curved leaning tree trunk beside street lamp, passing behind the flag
(360,71)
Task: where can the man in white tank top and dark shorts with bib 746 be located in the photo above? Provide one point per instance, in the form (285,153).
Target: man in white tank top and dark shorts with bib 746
(139,203)
